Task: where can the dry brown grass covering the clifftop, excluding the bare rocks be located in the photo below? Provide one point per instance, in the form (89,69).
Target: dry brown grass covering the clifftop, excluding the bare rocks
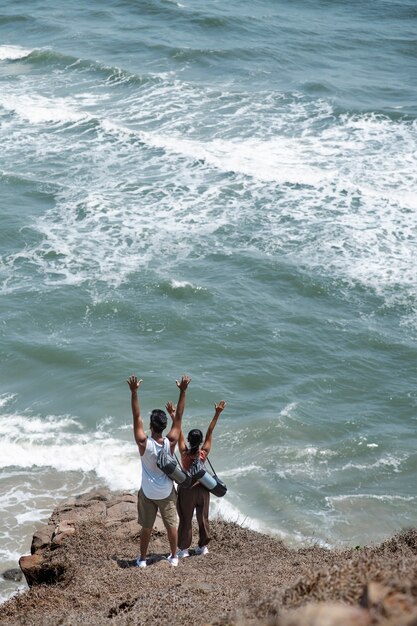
(246,577)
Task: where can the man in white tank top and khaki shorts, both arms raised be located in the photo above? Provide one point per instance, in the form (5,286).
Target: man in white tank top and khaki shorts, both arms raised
(157,491)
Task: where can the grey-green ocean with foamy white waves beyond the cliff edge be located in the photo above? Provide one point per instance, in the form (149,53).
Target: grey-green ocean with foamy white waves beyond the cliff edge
(226,190)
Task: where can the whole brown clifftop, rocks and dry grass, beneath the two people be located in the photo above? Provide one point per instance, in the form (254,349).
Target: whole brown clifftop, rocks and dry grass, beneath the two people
(82,571)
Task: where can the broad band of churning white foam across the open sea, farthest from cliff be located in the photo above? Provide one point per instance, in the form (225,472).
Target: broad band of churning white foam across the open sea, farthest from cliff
(340,199)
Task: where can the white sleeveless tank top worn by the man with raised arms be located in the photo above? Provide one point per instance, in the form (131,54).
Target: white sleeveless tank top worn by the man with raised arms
(155,484)
